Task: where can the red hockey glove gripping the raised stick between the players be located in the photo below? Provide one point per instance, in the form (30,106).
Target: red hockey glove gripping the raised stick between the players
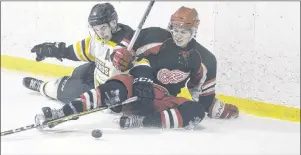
(122,59)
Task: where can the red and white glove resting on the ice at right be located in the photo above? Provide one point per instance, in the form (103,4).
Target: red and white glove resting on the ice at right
(221,110)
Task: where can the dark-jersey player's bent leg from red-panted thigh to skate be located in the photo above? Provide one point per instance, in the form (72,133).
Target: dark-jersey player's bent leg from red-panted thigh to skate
(171,112)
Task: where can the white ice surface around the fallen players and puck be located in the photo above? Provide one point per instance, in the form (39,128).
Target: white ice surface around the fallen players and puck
(245,135)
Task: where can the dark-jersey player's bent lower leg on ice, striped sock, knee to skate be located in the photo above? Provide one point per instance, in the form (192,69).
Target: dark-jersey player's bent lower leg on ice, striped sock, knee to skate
(186,115)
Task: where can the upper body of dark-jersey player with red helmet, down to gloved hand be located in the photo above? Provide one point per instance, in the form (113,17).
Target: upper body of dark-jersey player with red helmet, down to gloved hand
(180,63)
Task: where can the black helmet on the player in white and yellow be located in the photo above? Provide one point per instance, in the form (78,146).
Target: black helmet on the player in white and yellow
(102,13)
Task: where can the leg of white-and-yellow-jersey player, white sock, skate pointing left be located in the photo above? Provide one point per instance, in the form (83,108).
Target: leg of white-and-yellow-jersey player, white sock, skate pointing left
(65,88)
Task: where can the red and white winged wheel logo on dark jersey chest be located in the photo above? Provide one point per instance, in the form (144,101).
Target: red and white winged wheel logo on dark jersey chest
(171,76)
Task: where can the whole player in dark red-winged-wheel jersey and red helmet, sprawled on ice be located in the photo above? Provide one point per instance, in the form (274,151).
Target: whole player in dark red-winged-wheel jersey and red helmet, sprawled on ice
(168,65)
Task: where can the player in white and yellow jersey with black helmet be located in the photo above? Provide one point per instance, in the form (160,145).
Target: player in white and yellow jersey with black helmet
(97,50)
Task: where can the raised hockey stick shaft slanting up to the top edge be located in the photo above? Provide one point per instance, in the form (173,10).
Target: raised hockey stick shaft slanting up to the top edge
(135,36)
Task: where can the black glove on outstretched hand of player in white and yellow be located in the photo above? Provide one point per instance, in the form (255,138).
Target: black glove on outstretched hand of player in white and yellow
(44,50)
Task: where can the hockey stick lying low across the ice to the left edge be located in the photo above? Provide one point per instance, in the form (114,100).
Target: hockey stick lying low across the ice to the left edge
(65,119)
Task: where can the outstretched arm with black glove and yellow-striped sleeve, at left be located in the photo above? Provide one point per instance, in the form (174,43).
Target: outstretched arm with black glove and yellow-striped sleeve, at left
(80,51)
